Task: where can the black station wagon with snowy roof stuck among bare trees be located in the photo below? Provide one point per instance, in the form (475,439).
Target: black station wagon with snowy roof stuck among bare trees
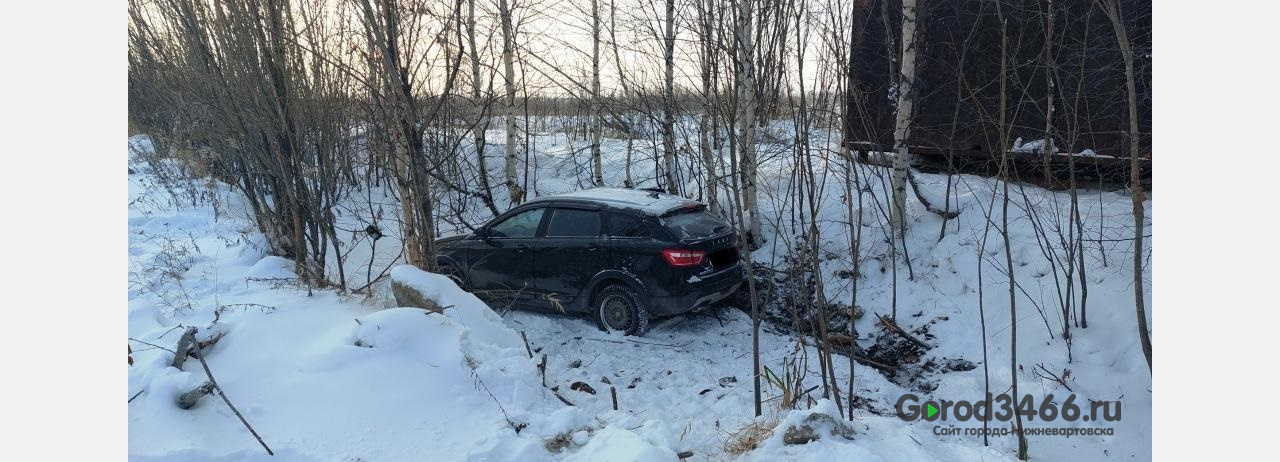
(620,255)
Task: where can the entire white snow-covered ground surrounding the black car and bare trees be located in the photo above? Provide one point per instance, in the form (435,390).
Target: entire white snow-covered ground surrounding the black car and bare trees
(344,378)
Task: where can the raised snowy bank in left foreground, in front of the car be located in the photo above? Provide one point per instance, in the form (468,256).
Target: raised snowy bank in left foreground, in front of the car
(319,376)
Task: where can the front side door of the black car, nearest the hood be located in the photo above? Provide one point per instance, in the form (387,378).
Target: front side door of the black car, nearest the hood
(502,266)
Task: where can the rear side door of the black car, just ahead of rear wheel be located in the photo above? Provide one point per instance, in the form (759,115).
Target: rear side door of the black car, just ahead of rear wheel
(572,251)
